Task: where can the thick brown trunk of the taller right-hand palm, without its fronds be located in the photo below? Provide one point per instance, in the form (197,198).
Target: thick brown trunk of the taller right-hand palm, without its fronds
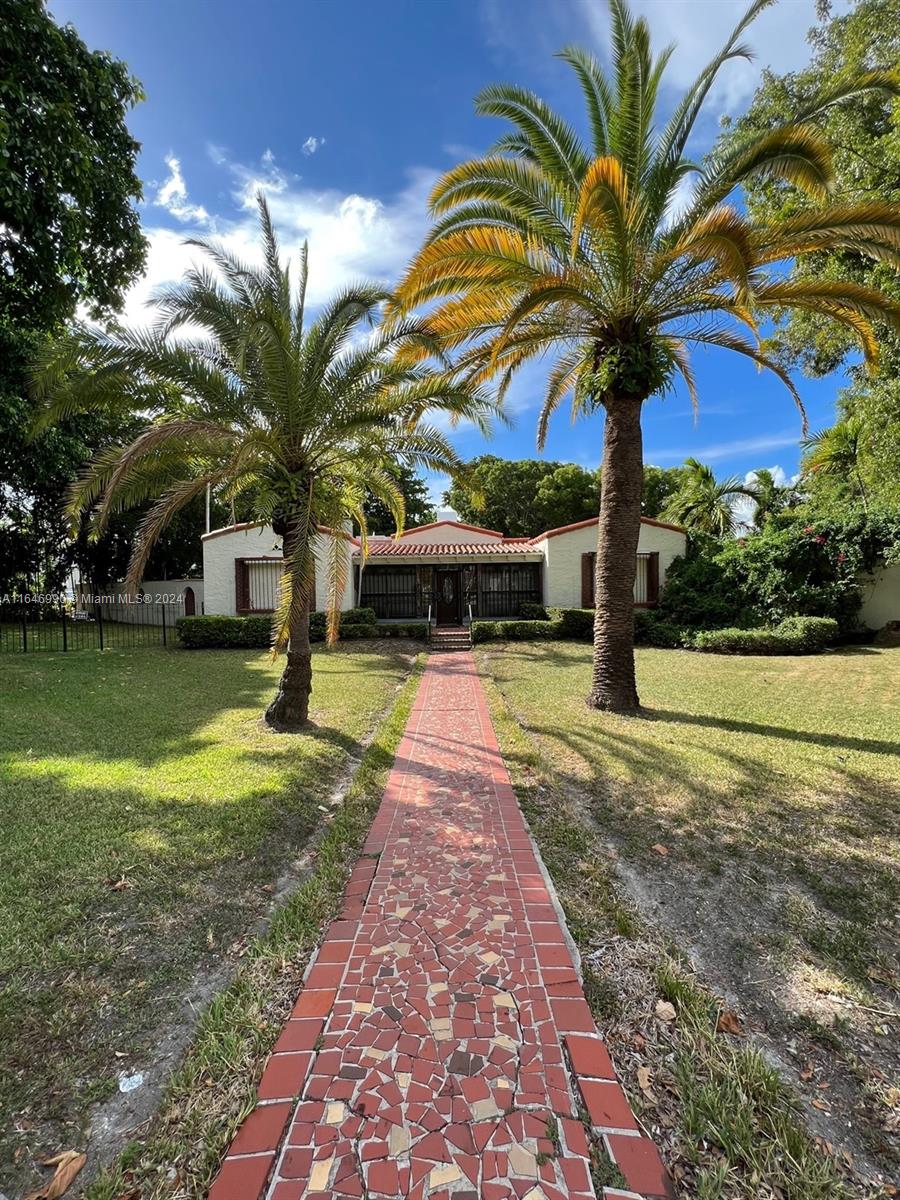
(614,687)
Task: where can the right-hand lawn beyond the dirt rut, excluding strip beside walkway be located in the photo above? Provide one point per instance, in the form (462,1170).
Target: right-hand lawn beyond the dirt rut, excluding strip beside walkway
(755,808)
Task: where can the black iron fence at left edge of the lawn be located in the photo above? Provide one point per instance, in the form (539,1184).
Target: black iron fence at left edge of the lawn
(107,623)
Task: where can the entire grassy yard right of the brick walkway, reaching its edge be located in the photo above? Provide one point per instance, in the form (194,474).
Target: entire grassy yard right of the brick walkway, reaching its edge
(755,808)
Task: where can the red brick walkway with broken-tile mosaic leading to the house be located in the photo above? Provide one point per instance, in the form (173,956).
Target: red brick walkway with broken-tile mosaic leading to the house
(442,1035)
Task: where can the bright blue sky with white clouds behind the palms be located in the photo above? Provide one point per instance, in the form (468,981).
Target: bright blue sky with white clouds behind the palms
(346,112)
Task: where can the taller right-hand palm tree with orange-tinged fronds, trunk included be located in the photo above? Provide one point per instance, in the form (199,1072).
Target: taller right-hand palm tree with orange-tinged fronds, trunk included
(549,247)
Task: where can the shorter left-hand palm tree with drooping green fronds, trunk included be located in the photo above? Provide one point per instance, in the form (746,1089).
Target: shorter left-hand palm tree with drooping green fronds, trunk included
(298,423)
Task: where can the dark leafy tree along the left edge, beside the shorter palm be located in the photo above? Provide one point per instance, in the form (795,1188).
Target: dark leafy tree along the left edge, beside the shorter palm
(69,236)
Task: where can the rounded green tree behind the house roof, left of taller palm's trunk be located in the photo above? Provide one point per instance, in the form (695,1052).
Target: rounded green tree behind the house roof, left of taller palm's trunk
(523,497)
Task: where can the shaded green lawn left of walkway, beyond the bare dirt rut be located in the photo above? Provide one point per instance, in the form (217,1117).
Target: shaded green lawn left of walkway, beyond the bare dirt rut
(147,817)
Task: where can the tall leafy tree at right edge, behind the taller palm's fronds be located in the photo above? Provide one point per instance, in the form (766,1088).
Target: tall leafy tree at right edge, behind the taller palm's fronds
(865,137)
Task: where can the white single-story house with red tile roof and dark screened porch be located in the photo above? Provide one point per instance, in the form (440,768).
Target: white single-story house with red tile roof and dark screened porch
(448,571)
